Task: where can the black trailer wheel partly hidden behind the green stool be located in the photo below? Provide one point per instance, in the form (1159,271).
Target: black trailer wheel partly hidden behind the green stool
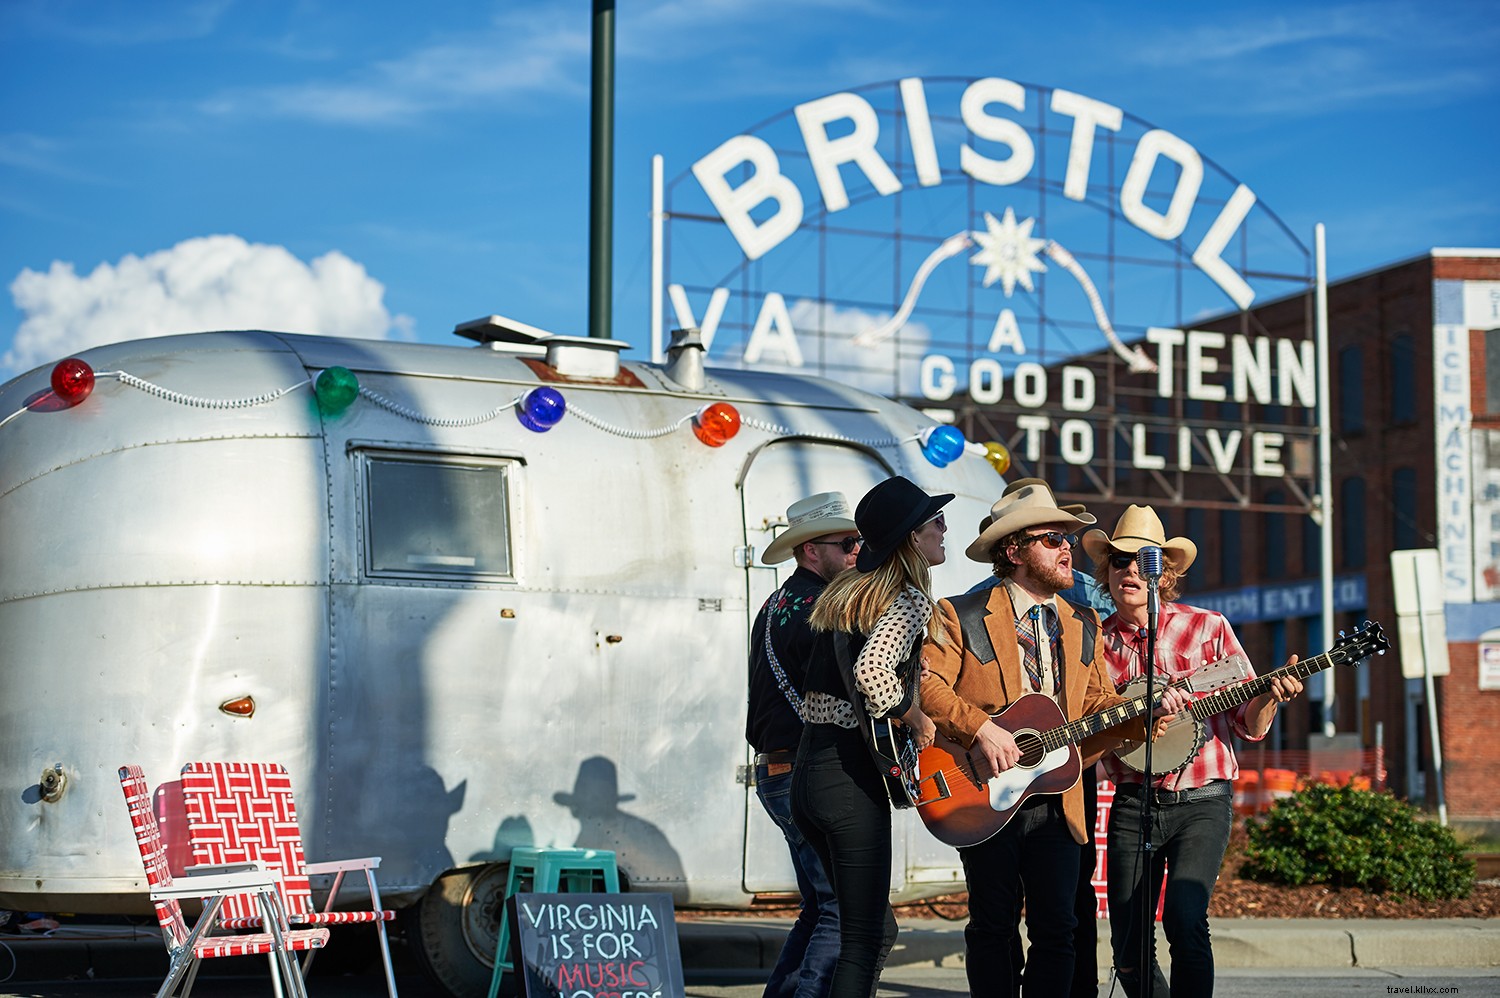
(455,930)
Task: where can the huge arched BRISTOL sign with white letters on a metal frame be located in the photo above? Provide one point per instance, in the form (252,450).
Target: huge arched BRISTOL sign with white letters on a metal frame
(985,245)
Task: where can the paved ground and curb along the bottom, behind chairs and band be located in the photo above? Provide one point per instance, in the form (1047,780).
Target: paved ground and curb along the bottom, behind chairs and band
(730,957)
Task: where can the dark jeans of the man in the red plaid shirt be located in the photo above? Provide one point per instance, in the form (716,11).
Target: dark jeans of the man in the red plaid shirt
(1190,838)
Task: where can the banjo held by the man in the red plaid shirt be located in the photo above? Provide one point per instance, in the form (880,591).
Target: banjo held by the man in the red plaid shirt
(1187,733)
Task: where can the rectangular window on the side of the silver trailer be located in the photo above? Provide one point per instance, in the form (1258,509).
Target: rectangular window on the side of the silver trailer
(437,519)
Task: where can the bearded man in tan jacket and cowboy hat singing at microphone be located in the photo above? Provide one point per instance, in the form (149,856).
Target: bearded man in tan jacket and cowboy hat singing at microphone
(997,648)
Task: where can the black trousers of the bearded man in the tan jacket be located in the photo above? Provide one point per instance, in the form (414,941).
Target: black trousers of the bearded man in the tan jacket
(1036,855)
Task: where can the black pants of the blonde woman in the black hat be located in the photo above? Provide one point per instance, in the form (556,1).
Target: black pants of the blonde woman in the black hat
(841,807)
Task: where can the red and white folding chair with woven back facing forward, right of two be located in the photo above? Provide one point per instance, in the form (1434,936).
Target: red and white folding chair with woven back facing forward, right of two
(245,813)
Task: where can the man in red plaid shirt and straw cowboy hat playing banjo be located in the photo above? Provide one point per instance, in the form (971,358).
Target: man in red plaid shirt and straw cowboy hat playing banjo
(1192,807)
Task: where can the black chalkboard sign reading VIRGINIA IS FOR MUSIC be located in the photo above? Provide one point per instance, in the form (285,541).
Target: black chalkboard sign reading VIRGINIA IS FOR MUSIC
(596,946)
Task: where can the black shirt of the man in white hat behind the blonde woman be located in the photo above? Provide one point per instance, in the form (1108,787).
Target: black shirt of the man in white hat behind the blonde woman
(772,724)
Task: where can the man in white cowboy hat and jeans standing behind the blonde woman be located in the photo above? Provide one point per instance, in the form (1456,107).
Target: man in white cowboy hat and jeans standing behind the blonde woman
(823,538)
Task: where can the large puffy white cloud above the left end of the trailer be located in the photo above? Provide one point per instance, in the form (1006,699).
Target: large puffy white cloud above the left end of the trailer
(200,284)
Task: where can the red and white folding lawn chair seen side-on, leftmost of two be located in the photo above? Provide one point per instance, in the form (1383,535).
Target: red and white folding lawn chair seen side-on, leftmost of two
(187,946)
